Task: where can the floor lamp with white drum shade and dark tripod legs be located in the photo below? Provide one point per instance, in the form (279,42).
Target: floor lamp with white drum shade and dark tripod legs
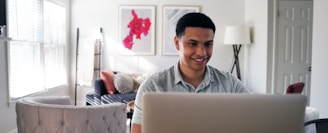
(236,36)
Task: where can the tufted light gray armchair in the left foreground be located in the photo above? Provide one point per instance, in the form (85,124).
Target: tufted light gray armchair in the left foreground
(55,114)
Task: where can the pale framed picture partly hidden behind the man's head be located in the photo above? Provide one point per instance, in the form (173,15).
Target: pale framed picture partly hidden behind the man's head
(171,14)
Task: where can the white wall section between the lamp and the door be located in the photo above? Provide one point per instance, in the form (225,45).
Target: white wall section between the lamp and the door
(256,16)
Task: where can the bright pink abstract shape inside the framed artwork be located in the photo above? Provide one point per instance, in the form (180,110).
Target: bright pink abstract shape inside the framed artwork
(137,27)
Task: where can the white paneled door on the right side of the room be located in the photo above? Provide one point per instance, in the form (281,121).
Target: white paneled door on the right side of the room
(294,45)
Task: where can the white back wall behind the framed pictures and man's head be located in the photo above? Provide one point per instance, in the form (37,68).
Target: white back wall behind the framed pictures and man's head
(89,16)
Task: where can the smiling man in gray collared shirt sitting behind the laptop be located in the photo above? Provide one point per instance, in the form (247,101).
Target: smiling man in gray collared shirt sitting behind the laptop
(194,40)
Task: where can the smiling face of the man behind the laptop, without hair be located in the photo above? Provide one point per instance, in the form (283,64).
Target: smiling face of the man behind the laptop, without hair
(195,48)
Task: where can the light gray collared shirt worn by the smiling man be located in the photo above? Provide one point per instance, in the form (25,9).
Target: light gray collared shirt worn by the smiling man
(170,80)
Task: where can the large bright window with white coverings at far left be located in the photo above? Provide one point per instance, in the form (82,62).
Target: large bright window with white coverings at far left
(37,50)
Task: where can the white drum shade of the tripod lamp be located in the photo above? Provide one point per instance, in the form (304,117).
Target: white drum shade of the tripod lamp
(236,35)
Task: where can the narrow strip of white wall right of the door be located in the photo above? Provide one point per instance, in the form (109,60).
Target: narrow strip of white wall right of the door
(319,88)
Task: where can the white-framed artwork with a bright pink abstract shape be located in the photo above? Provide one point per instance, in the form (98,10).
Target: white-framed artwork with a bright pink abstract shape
(136,30)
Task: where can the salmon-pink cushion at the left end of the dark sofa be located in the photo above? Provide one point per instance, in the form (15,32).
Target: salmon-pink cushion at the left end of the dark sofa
(108,77)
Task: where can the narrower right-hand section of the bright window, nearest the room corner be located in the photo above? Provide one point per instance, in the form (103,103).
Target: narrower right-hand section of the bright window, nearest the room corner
(55,45)
